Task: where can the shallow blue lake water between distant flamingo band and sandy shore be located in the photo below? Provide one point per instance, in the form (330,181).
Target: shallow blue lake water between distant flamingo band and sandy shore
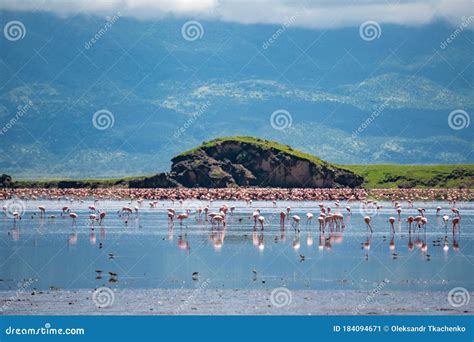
(148,253)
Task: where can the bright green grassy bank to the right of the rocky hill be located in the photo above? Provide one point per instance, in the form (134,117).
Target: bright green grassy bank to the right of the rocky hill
(411,176)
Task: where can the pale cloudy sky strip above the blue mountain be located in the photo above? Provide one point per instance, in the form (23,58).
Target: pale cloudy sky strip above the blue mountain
(310,13)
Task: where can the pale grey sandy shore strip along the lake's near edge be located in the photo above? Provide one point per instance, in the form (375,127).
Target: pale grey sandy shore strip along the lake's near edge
(232,302)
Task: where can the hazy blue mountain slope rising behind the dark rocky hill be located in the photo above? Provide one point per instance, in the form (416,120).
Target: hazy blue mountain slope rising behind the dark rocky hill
(155,82)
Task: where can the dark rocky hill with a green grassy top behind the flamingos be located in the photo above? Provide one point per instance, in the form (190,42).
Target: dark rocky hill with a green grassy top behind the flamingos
(247,161)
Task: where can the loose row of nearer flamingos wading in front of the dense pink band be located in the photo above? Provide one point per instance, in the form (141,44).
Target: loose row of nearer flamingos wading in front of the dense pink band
(328,218)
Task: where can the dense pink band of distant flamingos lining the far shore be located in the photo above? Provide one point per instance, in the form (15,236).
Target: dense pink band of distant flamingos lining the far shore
(246,194)
